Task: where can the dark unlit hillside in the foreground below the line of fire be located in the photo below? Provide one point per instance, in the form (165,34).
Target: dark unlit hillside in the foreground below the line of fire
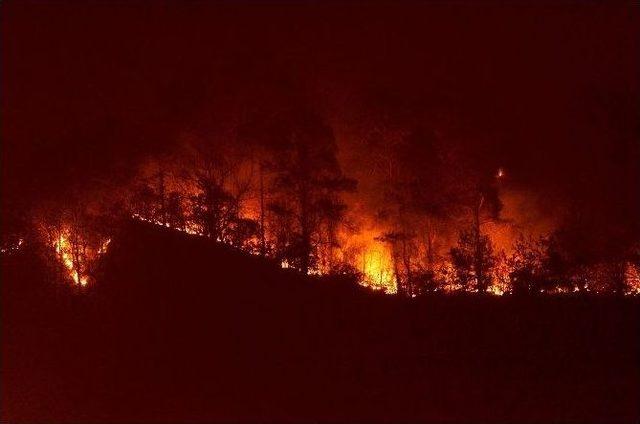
(179,330)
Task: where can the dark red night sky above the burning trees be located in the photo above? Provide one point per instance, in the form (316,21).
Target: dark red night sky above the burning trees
(88,89)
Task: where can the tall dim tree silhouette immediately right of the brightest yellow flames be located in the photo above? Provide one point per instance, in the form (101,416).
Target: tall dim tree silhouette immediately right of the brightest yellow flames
(409,162)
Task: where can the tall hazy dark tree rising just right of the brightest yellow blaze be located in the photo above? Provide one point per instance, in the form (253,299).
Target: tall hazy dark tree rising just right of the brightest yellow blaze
(416,171)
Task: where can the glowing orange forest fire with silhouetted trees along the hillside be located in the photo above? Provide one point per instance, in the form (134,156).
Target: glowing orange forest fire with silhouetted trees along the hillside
(483,251)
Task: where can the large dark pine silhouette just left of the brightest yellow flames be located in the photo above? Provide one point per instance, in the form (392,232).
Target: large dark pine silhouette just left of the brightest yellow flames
(307,182)
